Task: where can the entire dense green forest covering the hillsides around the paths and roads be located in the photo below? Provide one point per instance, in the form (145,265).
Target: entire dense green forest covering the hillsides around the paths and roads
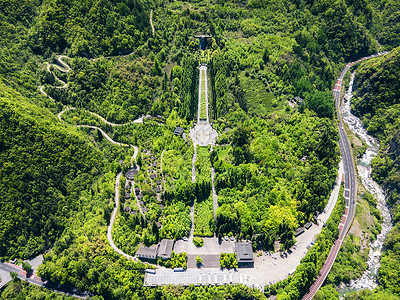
(57,182)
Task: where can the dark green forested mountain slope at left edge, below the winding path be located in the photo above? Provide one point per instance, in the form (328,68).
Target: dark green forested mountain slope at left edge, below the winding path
(43,168)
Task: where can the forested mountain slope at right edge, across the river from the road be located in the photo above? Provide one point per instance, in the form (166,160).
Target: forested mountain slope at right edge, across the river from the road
(377,102)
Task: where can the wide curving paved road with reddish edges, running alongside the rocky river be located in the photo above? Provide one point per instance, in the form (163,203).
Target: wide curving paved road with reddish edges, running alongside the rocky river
(350,185)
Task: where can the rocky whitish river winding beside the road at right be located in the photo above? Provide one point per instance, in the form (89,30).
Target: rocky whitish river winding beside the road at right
(369,278)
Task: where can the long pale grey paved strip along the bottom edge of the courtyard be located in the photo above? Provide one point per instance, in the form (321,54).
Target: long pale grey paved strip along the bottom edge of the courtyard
(192,276)
